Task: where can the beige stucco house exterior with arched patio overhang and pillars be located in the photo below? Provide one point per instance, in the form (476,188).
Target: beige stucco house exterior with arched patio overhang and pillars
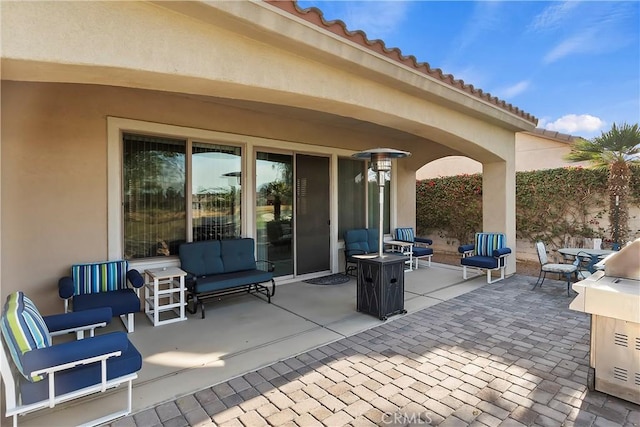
(239,67)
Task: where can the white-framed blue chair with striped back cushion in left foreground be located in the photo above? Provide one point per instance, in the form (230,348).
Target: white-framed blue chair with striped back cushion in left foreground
(38,374)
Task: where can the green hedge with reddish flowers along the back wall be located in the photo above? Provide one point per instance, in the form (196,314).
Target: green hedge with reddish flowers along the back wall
(550,204)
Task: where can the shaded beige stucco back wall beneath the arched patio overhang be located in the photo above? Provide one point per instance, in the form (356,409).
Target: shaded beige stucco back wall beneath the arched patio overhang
(54,169)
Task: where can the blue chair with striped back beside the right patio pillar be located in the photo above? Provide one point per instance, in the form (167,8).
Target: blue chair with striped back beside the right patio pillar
(489,252)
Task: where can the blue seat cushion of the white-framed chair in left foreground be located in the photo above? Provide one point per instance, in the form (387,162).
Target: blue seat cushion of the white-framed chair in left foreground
(86,375)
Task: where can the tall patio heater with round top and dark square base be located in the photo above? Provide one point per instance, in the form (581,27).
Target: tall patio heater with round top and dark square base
(380,287)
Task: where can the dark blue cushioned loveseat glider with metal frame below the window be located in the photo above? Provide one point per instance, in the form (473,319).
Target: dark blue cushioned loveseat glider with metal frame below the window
(222,267)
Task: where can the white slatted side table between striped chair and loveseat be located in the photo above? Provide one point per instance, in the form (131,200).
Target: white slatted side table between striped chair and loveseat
(164,295)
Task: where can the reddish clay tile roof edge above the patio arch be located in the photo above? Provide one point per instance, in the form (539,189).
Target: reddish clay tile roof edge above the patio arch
(338,27)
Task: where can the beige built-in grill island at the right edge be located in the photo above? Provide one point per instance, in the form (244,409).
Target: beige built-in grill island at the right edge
(612,297)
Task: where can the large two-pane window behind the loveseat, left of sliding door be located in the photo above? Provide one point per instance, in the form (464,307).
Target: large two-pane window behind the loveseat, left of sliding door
(156,210)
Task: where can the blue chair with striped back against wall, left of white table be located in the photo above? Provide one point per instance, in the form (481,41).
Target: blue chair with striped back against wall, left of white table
(103,284)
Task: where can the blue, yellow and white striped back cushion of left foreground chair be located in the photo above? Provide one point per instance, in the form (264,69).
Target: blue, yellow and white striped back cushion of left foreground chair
(24,330)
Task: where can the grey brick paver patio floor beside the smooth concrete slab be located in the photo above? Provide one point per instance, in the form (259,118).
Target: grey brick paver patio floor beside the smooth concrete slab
(502,355)
